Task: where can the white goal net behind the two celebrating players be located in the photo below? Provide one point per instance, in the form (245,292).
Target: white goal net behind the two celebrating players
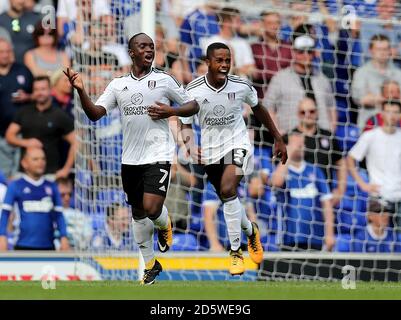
(294,216)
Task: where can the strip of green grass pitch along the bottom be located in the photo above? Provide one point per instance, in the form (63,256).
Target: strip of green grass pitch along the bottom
(198,290)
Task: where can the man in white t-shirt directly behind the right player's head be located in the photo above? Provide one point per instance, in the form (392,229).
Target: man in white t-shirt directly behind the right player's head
(243,61)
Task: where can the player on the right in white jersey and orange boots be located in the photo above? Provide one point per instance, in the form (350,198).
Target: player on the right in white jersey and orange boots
(226,150)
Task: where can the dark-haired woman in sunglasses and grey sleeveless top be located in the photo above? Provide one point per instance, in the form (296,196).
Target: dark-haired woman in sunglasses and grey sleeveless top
(45,59)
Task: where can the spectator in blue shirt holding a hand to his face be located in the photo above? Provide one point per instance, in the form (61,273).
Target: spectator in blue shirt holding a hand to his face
(305,199)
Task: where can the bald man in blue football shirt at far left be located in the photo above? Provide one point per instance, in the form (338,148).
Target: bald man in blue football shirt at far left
(39,207)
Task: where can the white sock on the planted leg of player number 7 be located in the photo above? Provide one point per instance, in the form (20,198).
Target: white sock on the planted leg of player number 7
(143,235)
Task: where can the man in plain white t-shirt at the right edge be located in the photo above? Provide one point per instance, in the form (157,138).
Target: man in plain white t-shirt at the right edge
(382,149)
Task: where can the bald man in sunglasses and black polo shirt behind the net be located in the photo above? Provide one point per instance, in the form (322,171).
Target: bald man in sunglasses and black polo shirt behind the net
(321,148)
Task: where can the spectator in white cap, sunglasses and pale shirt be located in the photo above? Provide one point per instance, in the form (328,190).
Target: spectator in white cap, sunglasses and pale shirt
(290,85)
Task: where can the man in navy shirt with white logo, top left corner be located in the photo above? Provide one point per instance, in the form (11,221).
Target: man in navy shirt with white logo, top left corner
(20,23)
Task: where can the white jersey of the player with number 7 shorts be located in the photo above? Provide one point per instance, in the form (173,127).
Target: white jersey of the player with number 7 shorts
(144,140)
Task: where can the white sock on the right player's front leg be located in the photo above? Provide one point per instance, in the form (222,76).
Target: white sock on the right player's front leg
(232,215)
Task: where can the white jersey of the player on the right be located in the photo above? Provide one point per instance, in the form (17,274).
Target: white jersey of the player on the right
(220,115)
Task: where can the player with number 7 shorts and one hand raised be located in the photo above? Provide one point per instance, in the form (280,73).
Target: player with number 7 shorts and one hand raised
(148,145)
